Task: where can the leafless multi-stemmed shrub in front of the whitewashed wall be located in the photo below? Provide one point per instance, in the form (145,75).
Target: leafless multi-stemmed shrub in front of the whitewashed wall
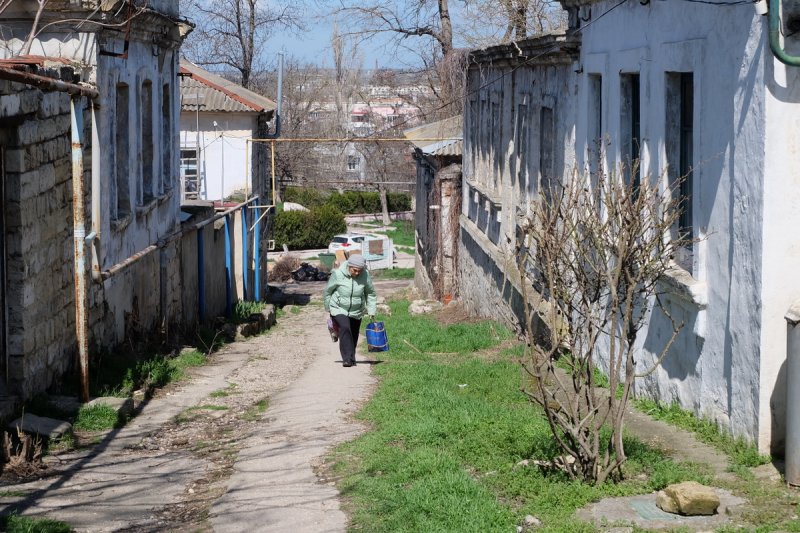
(595,253)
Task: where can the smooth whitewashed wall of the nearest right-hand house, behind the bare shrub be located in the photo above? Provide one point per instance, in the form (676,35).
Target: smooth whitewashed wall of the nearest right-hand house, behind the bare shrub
(727,361)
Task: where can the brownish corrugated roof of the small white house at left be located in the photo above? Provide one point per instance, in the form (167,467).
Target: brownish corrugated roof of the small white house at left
(218,94)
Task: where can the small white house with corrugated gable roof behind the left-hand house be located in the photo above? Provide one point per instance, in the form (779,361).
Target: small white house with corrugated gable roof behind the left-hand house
(217,119)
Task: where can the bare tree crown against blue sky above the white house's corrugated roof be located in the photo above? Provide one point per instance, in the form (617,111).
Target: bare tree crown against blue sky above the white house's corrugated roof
(232,33)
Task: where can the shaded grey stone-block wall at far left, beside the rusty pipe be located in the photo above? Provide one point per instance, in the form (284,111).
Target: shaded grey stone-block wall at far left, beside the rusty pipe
(39,245)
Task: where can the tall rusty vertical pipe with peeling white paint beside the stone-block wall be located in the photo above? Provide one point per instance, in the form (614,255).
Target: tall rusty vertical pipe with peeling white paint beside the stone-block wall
(79,241)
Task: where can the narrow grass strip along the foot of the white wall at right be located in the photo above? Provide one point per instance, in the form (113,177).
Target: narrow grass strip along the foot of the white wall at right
(740,451)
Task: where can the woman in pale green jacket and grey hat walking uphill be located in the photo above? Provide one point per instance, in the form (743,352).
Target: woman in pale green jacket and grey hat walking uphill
(350,295)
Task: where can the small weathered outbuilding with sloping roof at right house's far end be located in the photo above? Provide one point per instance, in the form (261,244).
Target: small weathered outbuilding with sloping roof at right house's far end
(437,150)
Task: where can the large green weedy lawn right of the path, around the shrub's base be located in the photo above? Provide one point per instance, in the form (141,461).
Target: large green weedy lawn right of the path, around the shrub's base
(449,432)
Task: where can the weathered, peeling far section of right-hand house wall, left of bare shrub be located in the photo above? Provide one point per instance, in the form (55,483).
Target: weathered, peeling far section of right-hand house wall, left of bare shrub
(502,168)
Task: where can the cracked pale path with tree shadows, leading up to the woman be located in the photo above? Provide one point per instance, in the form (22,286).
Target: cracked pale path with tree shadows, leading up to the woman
(209,454)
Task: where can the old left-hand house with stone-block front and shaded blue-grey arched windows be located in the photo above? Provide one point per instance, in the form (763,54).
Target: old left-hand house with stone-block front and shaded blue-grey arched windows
(90,112)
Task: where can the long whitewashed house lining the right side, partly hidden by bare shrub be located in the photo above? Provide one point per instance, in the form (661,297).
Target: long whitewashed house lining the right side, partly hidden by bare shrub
(687,89)
